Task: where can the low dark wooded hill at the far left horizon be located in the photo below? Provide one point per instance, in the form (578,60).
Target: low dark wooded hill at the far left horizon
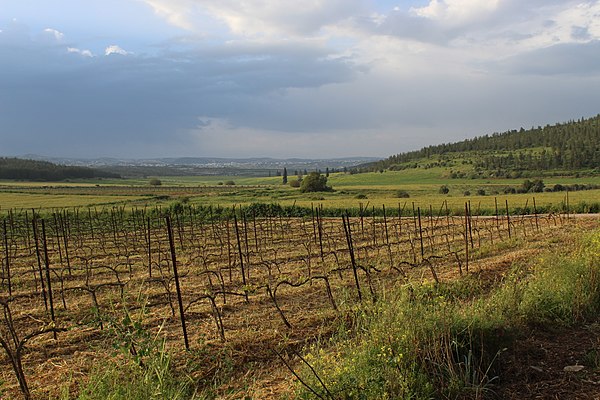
(33,170)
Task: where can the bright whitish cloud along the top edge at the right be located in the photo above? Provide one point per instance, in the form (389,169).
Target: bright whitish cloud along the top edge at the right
(505,25)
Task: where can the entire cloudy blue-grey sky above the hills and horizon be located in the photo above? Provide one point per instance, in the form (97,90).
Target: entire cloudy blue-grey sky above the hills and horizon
(267,78)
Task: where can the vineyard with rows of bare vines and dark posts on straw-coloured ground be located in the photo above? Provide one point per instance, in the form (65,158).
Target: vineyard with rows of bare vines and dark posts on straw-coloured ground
(218,283)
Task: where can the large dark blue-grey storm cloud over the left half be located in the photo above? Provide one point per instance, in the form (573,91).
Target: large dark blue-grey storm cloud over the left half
(95,104)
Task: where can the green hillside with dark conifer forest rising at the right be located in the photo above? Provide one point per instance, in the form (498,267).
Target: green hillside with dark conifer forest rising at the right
(572,145)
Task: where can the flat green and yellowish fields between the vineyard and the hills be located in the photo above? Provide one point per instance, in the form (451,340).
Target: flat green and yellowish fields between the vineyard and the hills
(351,191)
